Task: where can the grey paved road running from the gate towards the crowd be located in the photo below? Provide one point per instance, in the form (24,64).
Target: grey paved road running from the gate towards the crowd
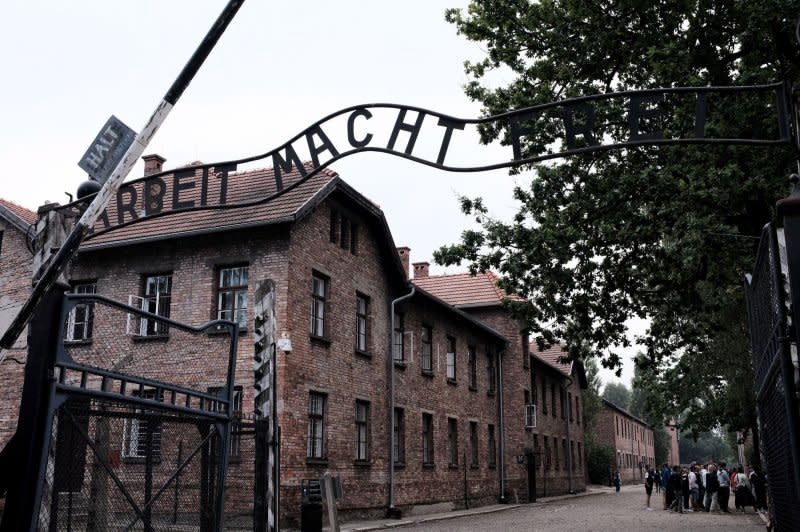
(625,512)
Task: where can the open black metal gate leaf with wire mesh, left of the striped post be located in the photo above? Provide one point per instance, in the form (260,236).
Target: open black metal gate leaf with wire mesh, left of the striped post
(139,419)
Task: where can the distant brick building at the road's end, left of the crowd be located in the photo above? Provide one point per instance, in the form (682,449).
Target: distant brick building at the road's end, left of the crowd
(631,439)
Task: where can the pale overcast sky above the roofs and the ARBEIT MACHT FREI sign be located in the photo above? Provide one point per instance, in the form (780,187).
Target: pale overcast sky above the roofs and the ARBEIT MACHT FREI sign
(279,67)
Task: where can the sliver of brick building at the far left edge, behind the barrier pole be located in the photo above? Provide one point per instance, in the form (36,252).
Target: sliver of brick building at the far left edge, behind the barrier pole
(16,269)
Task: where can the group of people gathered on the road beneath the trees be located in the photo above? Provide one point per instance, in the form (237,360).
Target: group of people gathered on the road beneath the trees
(701,488)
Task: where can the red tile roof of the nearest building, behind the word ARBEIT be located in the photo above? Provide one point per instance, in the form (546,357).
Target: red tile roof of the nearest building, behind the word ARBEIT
(243,207)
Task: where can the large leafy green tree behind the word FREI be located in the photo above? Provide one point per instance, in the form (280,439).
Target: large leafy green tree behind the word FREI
(664,233)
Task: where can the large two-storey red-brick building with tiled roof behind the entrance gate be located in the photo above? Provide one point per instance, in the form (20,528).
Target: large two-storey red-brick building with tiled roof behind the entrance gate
(191,244)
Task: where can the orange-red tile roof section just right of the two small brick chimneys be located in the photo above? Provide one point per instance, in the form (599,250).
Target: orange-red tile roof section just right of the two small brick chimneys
(464,290)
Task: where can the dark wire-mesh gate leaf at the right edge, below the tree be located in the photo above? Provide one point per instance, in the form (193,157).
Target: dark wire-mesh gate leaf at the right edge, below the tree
(773,352)
